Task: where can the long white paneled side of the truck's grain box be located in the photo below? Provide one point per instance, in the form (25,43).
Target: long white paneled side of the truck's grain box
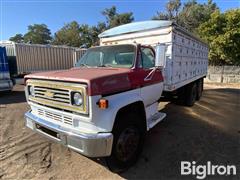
(189,61)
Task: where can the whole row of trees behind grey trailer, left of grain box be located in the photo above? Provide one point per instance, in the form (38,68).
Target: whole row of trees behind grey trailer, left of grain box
(73,33)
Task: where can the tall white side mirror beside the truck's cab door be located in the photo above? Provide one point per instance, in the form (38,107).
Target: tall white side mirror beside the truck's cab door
(160,60)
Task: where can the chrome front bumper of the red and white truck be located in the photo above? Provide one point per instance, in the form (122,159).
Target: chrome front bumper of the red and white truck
(91,145)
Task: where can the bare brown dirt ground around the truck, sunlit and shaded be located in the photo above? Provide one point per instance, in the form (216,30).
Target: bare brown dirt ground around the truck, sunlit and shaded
(208,131)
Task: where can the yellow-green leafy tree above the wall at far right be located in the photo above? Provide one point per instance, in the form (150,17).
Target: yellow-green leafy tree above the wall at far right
(222,32)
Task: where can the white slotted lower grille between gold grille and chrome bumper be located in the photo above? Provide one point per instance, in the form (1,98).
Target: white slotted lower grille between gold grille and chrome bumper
(53,116)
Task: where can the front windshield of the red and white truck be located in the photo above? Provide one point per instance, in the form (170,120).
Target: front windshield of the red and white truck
(109,56)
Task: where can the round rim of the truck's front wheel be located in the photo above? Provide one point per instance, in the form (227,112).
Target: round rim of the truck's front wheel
(127,144)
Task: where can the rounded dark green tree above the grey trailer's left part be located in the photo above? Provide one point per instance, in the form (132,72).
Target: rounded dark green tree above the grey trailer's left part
(38,34)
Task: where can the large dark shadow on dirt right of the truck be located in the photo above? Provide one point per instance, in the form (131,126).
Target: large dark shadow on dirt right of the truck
(208,131)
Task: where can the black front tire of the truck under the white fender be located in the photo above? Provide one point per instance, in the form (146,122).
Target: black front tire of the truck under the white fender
(128,140)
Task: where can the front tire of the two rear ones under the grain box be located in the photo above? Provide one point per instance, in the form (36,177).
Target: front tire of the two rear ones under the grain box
(191,94)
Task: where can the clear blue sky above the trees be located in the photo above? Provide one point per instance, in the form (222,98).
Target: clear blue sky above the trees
(16,15)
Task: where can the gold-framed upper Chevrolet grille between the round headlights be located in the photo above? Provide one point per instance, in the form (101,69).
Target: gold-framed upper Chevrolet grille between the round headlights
(57,95)
